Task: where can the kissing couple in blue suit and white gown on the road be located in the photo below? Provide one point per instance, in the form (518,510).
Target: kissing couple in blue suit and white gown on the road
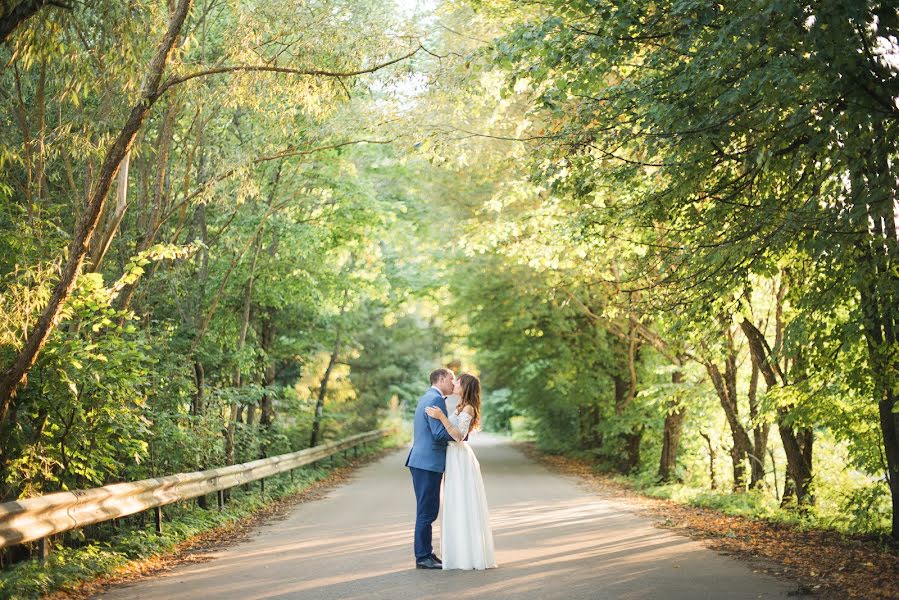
(440,444)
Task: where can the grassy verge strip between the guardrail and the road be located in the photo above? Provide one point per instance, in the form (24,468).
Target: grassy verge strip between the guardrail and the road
(68,566)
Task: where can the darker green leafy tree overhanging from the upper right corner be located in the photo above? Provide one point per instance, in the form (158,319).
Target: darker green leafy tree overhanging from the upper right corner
(747,147)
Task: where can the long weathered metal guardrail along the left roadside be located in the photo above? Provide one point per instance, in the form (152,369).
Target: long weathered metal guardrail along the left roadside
(34,518)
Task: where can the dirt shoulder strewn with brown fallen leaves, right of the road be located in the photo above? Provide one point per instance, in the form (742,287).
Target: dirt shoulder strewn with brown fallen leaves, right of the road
(825,562)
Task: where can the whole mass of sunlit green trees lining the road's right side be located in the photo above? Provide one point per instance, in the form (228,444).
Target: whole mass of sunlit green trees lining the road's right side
(643,186)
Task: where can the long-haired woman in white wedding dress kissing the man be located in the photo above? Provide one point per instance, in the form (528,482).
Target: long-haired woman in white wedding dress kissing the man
(467,540)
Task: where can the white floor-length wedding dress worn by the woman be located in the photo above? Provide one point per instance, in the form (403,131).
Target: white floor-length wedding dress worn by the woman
(466,537)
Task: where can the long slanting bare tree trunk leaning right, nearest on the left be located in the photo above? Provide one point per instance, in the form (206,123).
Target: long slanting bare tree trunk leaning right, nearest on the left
(78,249)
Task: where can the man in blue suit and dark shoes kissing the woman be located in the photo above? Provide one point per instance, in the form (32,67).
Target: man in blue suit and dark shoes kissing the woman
(427,461)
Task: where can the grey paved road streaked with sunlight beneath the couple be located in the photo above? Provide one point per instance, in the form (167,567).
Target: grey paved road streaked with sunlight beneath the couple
(554,540)
